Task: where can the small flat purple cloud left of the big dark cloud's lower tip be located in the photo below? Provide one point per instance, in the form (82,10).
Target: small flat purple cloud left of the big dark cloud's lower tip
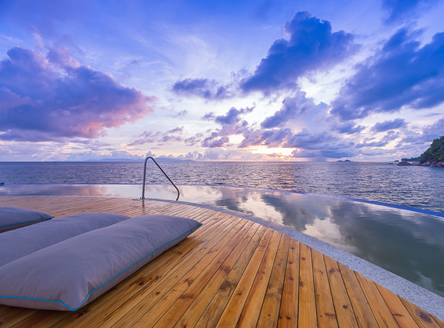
(204,88)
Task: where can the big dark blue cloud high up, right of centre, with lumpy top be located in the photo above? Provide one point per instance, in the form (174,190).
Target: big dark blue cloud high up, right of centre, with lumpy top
(311,47)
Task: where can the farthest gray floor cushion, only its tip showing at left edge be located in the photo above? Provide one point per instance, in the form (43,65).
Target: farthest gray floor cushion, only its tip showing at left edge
(13,218)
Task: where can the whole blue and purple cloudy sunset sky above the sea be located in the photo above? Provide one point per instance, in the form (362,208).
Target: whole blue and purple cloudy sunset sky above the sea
(252,80)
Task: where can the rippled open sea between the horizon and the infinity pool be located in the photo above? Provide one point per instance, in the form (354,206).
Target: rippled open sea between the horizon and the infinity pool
(419,187)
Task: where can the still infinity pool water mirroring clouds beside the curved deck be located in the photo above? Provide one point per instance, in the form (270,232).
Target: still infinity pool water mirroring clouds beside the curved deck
(406,243)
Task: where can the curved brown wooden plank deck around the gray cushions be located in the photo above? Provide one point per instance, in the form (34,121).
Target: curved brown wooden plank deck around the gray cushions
(230,272)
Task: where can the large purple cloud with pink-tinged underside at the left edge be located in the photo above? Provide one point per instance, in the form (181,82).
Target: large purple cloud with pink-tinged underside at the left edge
(53,97)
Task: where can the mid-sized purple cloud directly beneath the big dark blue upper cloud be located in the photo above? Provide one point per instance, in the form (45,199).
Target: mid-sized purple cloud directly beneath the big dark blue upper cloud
(291,109)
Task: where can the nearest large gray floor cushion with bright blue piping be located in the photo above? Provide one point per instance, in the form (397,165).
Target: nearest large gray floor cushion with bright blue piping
(73,272)
